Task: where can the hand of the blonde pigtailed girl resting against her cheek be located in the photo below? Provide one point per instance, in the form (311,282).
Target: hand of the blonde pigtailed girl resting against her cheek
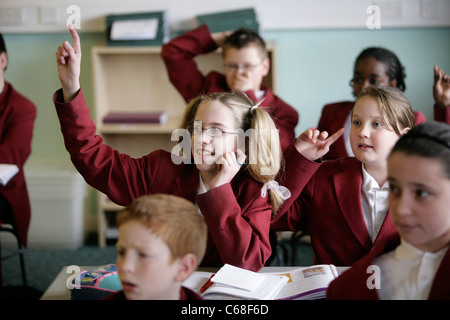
(228,167)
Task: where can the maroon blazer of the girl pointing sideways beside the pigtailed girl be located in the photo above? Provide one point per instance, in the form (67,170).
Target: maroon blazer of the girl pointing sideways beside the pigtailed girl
(329,208)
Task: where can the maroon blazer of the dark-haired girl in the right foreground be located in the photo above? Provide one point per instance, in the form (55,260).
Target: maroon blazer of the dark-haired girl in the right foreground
(352,285)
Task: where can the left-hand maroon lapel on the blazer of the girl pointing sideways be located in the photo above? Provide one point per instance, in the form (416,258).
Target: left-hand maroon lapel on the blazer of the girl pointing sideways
(348,192)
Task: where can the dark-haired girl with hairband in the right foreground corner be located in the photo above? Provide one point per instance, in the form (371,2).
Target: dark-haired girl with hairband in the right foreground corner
(415,266)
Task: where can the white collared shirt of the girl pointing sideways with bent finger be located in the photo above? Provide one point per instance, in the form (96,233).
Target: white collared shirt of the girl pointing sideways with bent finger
(374,202)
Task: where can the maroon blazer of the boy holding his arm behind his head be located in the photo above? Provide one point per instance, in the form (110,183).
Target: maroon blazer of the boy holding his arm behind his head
(179,56)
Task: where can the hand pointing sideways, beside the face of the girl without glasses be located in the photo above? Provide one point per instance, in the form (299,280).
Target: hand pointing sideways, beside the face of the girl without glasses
(313,144)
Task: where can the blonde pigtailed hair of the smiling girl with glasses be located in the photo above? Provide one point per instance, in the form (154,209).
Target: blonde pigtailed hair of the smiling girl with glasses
(262,141)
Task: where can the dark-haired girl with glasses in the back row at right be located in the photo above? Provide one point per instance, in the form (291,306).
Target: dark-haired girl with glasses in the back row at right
(373,67)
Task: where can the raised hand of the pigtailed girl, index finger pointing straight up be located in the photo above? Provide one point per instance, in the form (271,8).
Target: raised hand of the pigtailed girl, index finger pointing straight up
(68,59)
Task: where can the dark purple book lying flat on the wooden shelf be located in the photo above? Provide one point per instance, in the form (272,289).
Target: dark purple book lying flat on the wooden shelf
(159,117)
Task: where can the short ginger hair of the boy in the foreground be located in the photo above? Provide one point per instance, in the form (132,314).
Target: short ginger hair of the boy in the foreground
(175,220)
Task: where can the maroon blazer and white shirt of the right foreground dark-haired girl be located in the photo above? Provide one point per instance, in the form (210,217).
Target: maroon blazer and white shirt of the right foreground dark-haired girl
(402,272)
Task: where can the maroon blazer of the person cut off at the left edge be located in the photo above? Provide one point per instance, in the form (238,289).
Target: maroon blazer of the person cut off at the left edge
(17,115)
